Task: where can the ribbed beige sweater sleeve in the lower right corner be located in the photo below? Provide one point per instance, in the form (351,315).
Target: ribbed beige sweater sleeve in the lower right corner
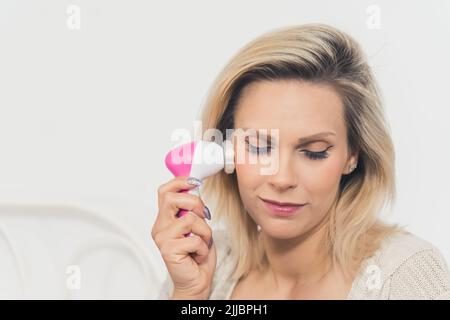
(424,275)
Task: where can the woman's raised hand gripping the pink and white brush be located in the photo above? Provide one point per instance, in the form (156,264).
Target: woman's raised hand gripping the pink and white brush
(191,260)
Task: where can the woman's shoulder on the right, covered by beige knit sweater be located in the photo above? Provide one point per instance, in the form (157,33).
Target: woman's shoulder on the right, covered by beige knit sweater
(408,267)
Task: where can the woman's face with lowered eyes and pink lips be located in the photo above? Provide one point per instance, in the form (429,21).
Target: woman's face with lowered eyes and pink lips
(297,110)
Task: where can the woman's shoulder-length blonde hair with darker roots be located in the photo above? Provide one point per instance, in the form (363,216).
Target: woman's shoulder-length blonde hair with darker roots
(314,53)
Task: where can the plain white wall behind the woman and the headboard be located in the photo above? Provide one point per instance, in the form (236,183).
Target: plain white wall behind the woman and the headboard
(86,115)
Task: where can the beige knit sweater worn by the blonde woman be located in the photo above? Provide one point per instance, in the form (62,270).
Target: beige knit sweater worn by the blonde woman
(404,267)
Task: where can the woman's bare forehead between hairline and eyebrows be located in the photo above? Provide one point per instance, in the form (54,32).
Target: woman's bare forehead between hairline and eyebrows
(289,105)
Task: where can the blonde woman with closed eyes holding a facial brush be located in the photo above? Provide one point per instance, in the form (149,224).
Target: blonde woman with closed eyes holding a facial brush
(310,229)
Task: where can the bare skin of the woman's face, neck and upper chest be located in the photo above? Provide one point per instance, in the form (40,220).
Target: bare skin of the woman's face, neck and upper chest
(299,267)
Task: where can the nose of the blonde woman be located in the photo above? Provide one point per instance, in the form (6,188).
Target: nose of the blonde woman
(285,177)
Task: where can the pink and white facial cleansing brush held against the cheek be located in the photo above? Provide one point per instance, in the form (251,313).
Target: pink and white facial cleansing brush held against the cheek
(199,159)
